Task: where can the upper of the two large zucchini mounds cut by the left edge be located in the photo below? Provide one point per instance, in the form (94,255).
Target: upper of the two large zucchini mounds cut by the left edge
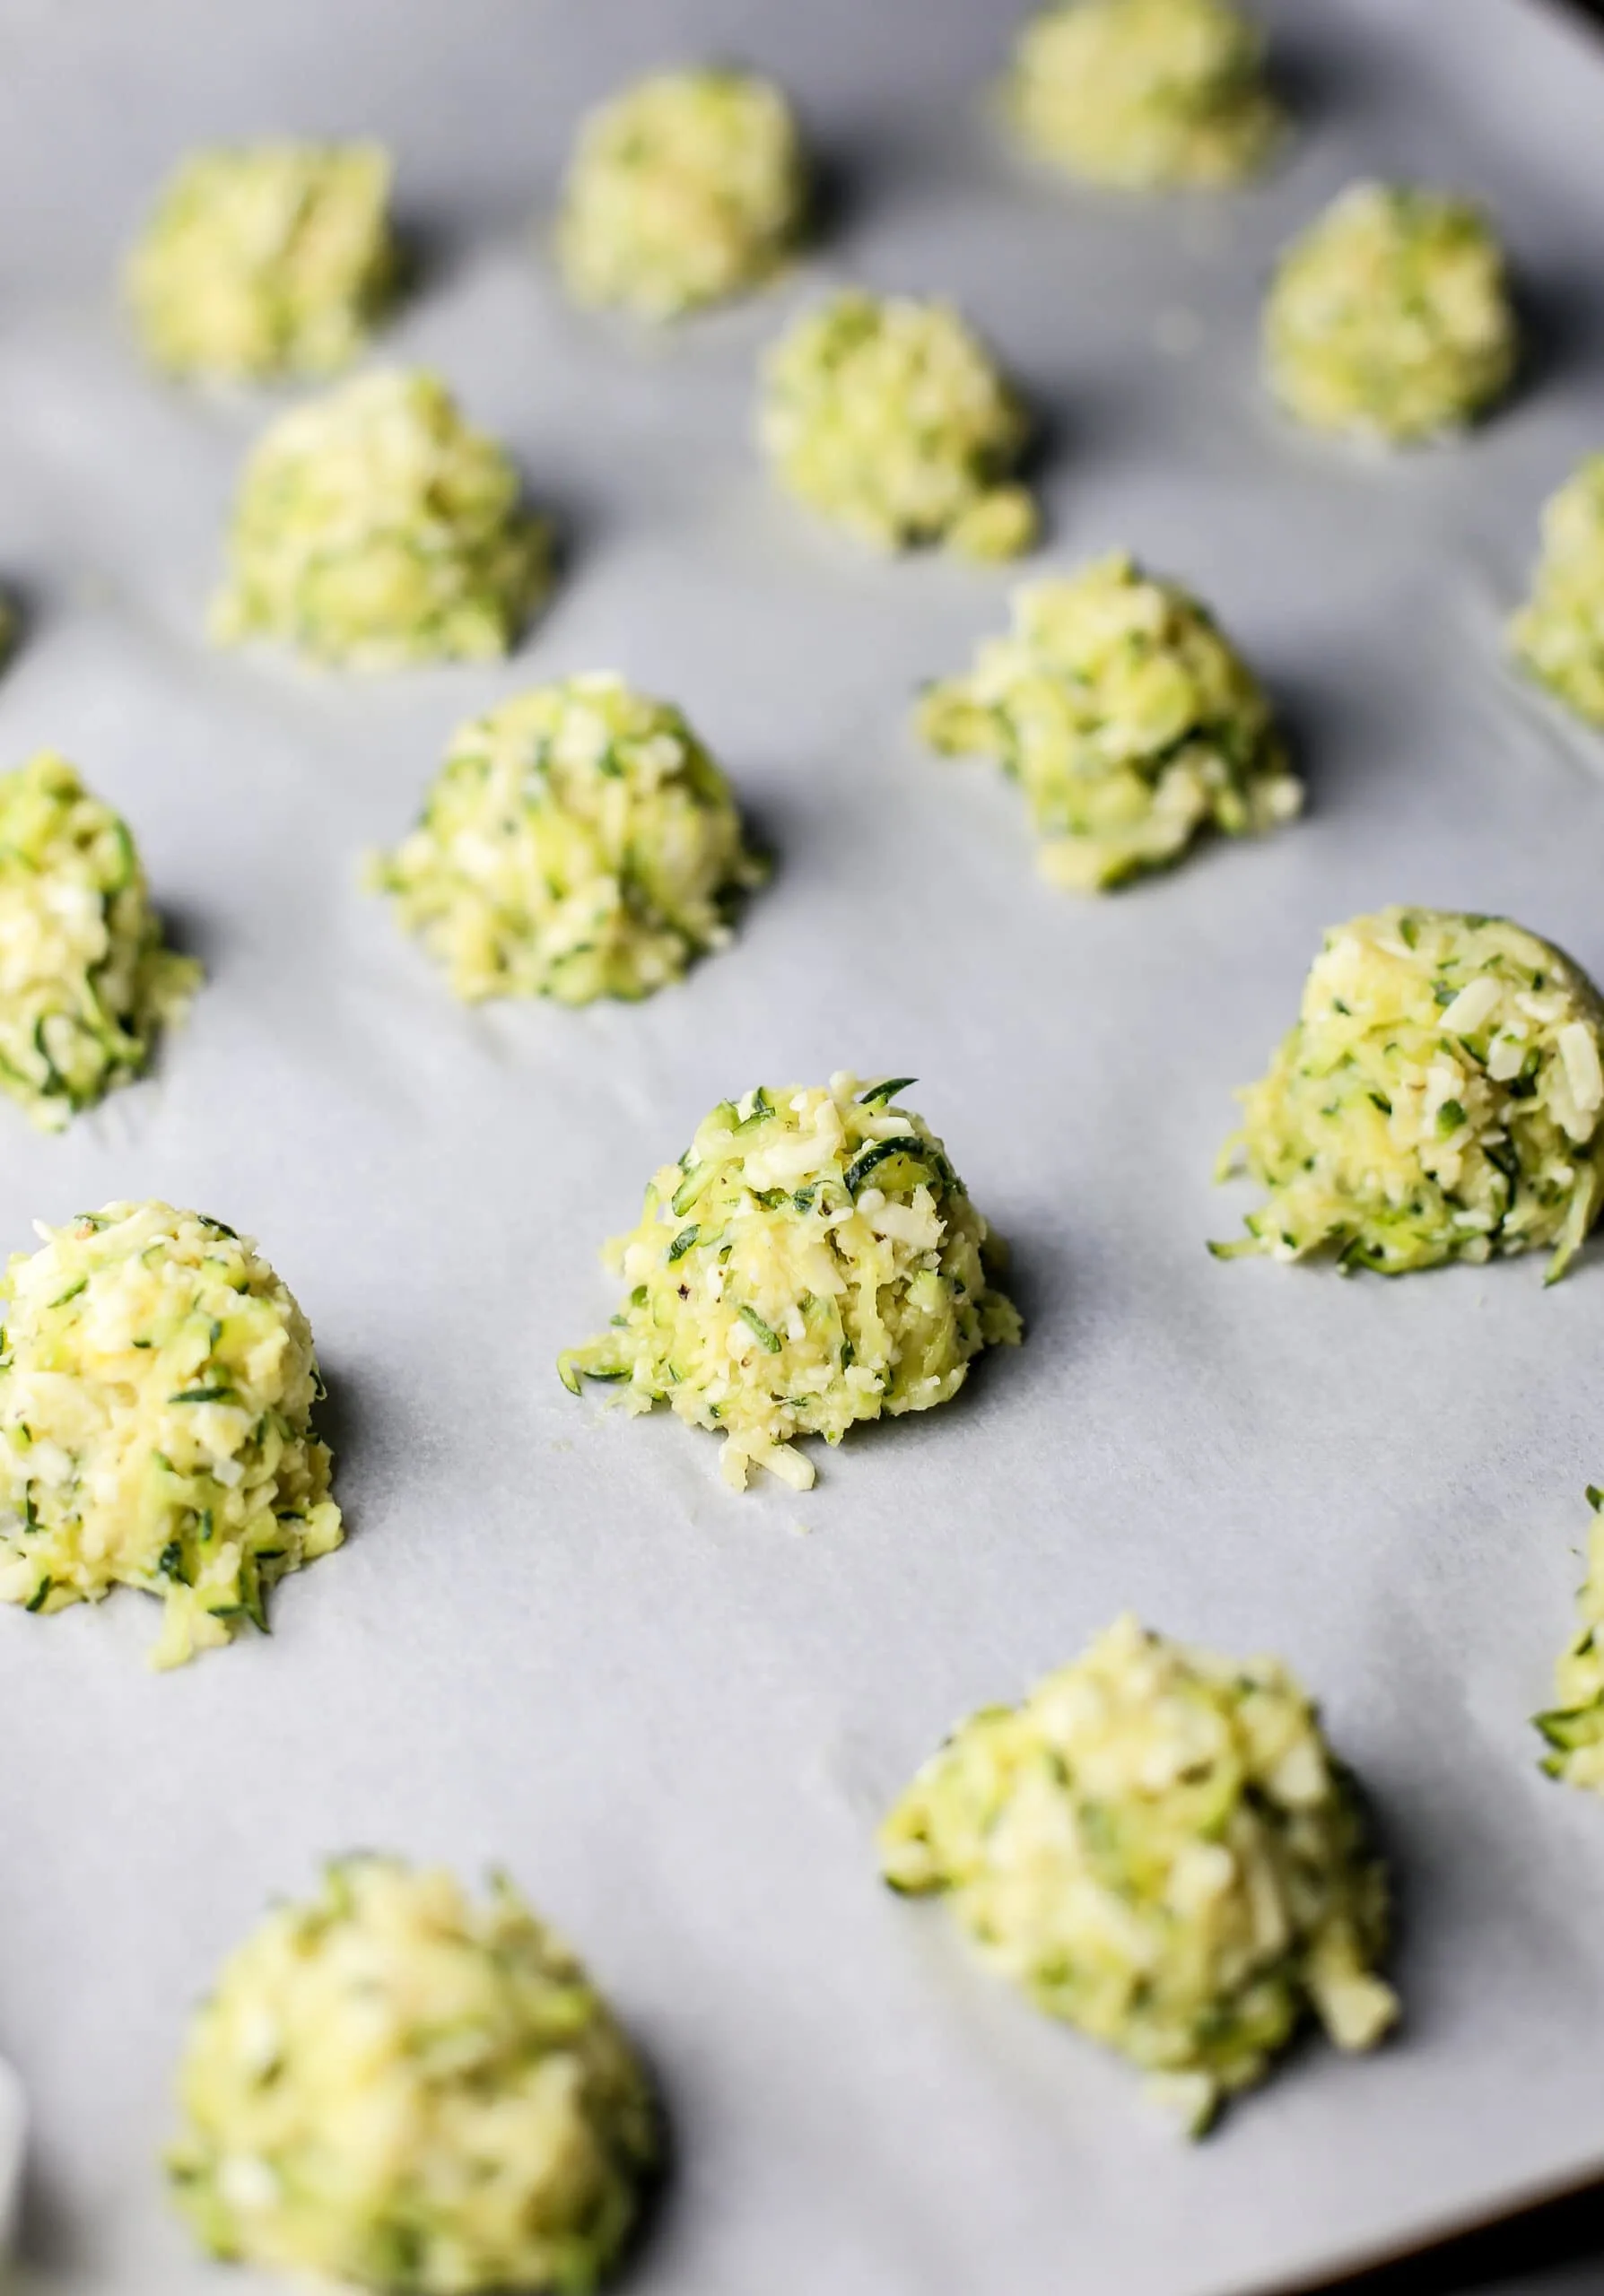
(84,975)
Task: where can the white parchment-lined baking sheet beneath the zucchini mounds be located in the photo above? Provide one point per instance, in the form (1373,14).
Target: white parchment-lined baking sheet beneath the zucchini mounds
(555,1640)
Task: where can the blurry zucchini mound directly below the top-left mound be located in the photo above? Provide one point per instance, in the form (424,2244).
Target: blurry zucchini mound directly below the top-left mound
(376,529)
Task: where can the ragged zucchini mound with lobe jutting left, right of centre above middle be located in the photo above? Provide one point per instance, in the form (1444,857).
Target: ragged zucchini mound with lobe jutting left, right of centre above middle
(1129,722)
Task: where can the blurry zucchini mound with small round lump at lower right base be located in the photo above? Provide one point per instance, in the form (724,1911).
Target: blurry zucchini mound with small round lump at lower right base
(890,419)
